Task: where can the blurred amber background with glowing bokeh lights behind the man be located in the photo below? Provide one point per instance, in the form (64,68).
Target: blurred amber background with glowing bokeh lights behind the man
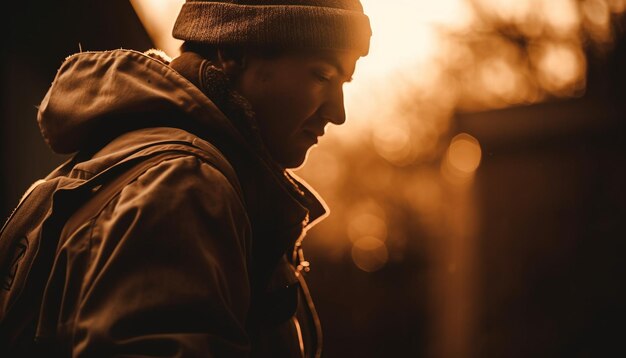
(477,189)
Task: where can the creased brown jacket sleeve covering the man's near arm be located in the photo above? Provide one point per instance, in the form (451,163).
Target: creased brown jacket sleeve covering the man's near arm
(168,270)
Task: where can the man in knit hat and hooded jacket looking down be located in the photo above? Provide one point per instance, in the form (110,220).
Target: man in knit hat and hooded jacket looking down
(200,255)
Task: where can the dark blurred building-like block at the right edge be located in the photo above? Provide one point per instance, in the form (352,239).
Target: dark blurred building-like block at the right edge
(551,208)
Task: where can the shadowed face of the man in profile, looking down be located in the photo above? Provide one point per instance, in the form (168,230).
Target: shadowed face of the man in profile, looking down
(294,96)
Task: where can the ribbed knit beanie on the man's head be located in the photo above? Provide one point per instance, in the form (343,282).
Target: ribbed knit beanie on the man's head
(324,24)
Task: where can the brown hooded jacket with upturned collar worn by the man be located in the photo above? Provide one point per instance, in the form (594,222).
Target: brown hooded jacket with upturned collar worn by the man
(186,260)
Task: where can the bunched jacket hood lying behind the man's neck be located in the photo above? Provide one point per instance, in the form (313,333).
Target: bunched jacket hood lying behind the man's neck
(116,88)
